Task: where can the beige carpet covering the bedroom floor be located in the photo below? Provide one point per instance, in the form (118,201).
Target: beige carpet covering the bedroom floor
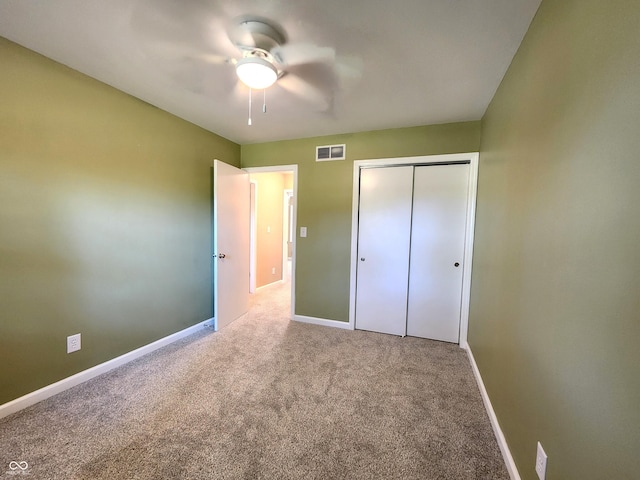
(267,398)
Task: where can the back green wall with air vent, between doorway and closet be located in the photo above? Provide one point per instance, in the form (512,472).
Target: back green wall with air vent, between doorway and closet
(325,196)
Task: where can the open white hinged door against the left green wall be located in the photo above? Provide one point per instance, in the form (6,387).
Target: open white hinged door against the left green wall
(231,222)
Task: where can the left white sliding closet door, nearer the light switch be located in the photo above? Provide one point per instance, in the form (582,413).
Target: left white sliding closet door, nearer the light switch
(383,249)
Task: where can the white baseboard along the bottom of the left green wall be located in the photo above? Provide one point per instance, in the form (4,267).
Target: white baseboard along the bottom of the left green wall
(80,377)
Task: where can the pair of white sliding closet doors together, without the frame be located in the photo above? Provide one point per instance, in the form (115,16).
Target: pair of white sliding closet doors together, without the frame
(412,223)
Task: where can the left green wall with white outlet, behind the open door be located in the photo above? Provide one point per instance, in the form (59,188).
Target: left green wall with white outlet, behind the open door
(105,221)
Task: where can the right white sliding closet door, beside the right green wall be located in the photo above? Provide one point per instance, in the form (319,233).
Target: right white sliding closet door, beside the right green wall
(437,251)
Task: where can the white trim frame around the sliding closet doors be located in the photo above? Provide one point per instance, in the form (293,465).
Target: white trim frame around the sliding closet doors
(473,159)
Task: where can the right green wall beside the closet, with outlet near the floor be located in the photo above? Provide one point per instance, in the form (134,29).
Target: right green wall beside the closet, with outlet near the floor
(555,308)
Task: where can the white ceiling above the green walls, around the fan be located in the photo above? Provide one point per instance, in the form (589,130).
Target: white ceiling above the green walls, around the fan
(420,61)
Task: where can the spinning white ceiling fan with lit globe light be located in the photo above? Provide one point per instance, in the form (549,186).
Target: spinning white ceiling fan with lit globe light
(263,56)
